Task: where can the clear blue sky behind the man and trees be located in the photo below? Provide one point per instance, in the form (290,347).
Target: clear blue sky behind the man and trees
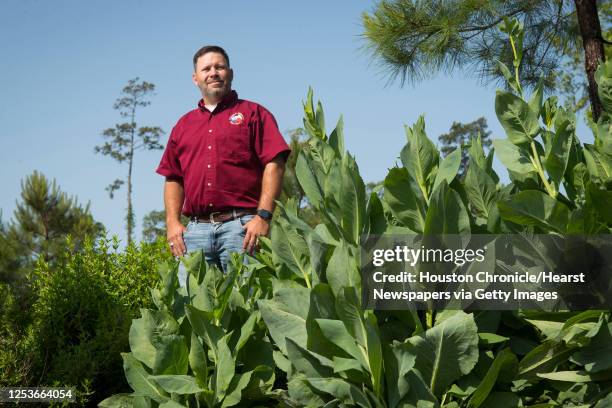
(65,62)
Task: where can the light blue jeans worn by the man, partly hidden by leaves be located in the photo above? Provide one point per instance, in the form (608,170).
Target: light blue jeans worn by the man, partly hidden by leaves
(217,240)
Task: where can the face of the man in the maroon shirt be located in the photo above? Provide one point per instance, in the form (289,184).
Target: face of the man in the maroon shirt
(213,76)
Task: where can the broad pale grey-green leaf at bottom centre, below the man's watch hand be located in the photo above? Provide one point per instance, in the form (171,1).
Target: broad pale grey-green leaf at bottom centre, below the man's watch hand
(285,316)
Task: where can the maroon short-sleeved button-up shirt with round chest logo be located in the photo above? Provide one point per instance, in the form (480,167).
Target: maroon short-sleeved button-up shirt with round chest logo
(220,155)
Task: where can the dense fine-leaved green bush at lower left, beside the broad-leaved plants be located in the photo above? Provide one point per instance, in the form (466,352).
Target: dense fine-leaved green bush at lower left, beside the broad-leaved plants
(80,317)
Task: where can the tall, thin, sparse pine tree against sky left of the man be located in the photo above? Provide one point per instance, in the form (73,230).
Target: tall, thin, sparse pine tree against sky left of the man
(127,137)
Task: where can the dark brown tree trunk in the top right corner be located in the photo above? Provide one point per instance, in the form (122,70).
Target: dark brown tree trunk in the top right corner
(592,41)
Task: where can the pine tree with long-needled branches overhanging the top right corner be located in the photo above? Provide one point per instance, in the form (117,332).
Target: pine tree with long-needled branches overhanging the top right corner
(416,39)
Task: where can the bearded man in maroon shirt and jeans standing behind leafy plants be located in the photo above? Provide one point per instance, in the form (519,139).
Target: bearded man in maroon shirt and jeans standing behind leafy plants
(223,164)
